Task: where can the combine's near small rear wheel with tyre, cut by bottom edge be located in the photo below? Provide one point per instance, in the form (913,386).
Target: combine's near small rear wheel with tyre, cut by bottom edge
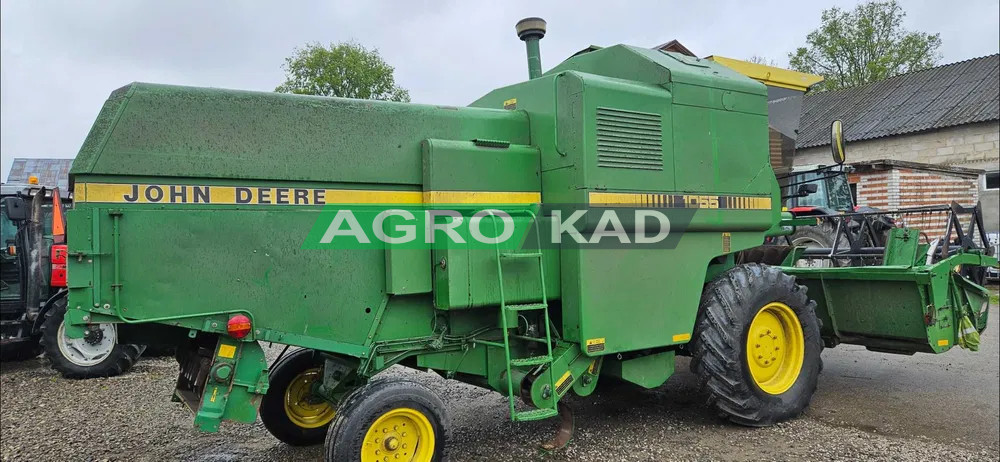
(389,419)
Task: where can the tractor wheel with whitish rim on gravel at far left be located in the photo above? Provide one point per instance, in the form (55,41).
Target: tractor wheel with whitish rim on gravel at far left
(97,355)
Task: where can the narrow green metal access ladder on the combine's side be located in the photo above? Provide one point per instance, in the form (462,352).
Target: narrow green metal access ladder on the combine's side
(510,309)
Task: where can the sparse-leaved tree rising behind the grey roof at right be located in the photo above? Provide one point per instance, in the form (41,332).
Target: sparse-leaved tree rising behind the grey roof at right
(865,45)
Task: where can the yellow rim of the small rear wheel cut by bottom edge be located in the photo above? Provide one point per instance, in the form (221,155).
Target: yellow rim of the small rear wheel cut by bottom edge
(401,434)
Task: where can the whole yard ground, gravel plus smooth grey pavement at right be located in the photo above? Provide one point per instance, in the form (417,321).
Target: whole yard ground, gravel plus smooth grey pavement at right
(868,406)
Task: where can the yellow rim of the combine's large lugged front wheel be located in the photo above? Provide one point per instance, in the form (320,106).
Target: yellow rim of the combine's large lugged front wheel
(775,348)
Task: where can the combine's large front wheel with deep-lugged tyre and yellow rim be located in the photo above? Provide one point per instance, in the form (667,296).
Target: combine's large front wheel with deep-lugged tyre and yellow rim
(757,345)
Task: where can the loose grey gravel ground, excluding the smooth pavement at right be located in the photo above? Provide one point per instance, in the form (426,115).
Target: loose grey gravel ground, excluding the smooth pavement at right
(45,417)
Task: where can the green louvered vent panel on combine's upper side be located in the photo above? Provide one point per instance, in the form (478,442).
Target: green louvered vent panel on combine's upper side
(629,139)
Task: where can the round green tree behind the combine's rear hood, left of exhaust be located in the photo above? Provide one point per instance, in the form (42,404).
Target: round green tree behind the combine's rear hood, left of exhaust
(345,69)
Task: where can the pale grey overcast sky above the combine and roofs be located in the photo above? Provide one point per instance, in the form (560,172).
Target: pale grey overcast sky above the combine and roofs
(60,60)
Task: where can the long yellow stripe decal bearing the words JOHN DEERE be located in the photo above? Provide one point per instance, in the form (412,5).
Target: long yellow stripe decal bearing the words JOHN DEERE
(240,195)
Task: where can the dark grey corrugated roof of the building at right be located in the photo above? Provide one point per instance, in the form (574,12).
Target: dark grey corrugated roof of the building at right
(944,96)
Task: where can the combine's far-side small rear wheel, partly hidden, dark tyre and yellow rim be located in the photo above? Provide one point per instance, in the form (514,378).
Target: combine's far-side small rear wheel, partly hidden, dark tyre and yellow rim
(290,410)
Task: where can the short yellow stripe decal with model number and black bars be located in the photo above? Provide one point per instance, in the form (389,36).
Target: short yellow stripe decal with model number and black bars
(682,201)
